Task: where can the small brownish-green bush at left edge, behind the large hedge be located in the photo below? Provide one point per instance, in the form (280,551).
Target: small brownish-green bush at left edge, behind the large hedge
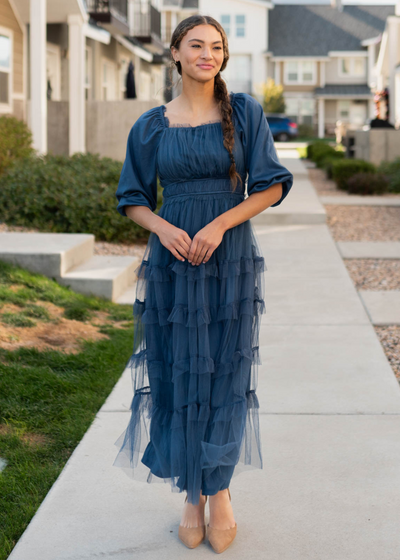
(15,141)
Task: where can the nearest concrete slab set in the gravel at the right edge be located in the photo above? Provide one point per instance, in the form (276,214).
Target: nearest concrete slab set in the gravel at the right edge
(382,306)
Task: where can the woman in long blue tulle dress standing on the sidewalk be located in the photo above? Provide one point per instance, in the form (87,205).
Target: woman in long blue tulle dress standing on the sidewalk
(199,297)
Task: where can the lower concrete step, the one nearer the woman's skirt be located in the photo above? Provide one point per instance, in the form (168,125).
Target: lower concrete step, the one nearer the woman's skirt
(108,276)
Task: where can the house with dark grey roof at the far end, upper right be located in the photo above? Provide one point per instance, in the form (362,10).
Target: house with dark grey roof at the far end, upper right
(325,58)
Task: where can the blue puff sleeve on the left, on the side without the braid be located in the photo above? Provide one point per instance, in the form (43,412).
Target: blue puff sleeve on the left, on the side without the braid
(137,184)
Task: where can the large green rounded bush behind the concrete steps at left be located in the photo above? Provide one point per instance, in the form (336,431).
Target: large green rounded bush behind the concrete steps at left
(67,195)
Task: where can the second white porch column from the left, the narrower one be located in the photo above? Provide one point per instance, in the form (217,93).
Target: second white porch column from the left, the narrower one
(76,53)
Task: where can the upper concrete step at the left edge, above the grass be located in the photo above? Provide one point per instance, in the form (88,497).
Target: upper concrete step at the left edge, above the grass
(51,254)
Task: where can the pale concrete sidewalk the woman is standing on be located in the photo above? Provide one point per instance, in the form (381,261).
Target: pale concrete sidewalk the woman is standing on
(330,425)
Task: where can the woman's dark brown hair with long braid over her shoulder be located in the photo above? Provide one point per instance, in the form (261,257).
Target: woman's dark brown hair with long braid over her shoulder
(220,90)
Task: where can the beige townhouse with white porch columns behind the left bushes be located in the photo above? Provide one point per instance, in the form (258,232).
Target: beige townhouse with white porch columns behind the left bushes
(63,68)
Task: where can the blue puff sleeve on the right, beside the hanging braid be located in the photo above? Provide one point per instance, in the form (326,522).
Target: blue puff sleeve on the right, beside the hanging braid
(262,163)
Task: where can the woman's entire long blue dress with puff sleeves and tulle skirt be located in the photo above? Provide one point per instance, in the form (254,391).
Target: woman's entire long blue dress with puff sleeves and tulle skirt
(194,414)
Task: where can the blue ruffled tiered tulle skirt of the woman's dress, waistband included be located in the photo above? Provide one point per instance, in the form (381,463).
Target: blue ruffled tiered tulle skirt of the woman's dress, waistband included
(194,414)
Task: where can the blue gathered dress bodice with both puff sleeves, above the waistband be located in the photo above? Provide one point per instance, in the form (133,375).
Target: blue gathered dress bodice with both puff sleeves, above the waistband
(192,160)
